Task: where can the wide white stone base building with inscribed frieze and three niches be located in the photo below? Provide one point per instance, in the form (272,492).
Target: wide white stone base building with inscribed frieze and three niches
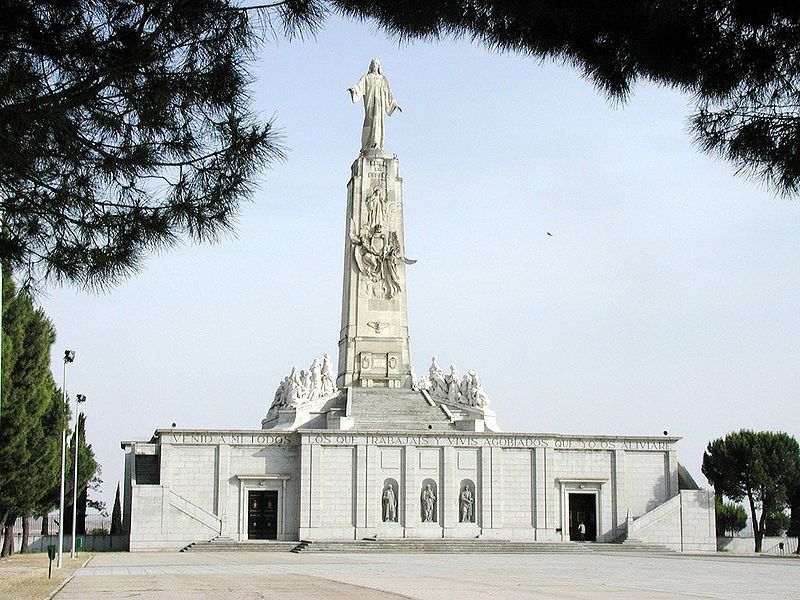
(331,485)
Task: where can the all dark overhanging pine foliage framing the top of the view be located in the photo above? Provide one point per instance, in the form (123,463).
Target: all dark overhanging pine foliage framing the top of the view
(126,126)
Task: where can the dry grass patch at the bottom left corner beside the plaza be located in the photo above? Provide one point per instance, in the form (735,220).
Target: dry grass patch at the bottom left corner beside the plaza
(24,576)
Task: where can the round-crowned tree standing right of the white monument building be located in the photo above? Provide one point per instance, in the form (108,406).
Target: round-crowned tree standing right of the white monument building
(762,467)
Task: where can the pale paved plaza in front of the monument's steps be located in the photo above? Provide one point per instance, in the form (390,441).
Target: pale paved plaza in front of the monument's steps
(249,575)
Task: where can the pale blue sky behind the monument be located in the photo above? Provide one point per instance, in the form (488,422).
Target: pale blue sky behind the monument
(667,297)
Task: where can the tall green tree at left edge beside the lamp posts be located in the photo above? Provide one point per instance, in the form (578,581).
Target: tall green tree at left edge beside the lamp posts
(33,413)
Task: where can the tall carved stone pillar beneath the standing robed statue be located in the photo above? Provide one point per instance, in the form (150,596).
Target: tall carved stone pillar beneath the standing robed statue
(373,343)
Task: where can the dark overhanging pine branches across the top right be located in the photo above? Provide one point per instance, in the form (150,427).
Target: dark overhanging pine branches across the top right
(738,58)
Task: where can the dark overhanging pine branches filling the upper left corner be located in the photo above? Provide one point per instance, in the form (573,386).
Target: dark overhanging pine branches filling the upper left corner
(123,126)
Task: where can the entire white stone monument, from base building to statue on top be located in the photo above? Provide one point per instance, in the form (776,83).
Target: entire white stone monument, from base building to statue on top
(369,451)
